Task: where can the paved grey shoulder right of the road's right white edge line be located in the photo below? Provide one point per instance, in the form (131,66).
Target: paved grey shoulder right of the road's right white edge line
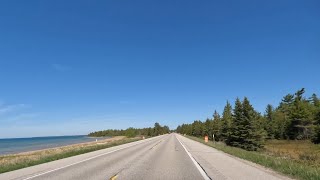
(219,165)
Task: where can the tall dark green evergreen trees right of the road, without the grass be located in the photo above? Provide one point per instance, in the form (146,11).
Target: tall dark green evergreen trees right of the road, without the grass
(296,118)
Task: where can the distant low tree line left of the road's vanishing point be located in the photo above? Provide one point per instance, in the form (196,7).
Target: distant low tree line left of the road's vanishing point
(132,132)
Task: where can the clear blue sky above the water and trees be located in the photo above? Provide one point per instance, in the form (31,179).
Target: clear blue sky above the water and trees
(73,67)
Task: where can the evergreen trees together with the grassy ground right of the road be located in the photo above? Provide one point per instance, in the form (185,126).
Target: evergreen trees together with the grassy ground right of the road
(285,138)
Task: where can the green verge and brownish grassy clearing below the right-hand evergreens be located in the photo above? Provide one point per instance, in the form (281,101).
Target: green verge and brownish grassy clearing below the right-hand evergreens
(297,159)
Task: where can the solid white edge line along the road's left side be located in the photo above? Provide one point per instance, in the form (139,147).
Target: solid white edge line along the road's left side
(53,170)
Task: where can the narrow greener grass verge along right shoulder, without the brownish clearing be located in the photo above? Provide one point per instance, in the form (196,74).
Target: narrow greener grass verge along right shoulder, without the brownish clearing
(298,169)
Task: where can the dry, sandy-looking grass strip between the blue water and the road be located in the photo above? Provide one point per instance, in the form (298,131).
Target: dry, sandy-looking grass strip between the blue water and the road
(23,160)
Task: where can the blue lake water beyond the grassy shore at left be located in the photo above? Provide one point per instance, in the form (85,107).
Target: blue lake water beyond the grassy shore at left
(17,145)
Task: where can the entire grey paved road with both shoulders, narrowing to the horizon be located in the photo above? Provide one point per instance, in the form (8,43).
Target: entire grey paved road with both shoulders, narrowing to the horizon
(170,156)
